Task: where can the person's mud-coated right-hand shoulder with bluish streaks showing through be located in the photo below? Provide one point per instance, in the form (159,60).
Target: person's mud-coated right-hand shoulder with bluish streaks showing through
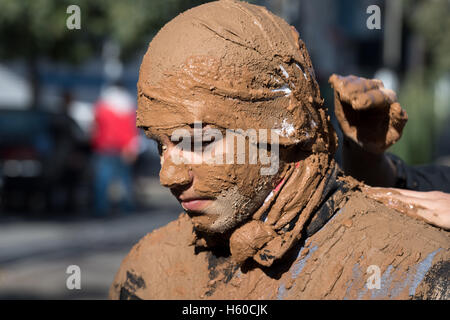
(409,257)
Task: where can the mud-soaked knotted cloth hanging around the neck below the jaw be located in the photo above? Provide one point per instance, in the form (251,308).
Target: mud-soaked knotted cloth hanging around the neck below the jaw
(265,243)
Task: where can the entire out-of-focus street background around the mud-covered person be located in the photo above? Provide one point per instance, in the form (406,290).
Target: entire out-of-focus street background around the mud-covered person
(74,189)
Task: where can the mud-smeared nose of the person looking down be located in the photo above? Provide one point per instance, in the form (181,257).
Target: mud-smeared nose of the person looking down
(174,174)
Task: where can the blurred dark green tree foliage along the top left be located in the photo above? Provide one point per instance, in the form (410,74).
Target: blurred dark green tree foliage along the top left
(35,29)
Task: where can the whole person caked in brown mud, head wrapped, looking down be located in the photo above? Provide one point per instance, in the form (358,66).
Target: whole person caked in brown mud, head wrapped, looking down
(301,231)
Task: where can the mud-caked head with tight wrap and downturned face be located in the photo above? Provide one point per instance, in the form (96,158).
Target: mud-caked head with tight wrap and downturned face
(228,91)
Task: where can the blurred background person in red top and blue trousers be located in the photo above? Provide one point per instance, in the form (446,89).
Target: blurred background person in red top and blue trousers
(115,143)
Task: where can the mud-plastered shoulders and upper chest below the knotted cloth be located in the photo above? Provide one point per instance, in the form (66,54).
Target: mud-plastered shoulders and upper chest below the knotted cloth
(411,258)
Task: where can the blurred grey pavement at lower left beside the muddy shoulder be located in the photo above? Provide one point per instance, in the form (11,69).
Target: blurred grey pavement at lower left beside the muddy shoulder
(34,256)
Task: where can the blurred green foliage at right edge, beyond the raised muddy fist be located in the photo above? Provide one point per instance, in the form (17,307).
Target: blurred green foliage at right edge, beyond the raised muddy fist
(428,23)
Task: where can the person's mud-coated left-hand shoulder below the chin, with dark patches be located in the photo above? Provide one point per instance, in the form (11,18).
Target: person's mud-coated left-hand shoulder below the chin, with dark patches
(152,258)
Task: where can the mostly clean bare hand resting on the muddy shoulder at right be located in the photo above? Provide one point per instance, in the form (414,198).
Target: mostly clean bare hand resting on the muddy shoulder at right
(433,206)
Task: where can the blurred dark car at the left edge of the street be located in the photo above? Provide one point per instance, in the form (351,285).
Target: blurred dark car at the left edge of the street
(41,160)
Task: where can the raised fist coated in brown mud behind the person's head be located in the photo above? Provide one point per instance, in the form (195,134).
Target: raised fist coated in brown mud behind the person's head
(368,113)
